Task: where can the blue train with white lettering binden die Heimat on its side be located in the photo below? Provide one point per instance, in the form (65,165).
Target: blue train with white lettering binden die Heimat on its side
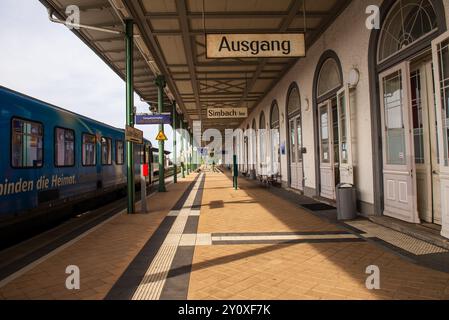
(52,159)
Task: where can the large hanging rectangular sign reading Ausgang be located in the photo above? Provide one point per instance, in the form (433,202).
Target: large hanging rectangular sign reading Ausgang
(278,45)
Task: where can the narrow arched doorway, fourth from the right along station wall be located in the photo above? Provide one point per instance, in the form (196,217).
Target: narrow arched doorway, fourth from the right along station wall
(275,139)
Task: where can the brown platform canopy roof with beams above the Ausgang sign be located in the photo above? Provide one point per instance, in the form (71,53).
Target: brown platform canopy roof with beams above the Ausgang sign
(170,40)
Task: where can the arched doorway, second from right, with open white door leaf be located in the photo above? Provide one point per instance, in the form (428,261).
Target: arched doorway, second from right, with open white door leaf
(330,99)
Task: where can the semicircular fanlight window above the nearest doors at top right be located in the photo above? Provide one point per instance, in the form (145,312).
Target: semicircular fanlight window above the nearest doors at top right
(407,22)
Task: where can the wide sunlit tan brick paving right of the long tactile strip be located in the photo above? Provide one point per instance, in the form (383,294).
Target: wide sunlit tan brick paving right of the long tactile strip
(321,266)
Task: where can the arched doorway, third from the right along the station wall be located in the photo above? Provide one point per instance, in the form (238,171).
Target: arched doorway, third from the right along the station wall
(295,142)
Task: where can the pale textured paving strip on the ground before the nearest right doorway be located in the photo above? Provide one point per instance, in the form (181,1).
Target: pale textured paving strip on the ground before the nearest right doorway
(397,239)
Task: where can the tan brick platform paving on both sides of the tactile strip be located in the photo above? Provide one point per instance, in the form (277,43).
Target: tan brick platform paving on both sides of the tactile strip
(330,271)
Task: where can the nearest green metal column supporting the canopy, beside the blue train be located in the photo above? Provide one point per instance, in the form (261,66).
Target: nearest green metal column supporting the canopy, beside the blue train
(129,42)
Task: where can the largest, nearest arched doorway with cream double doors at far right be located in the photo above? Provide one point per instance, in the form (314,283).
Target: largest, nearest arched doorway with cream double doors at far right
(408,110)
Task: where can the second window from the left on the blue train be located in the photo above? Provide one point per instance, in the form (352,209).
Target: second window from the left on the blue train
(64,147)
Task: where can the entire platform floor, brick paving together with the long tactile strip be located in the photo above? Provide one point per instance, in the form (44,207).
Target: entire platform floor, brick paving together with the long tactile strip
(204,240)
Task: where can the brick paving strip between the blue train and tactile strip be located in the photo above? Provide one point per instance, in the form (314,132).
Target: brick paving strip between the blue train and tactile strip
(101,255)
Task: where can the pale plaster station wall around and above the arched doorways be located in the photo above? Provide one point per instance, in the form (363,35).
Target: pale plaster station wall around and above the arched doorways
(348,37)
